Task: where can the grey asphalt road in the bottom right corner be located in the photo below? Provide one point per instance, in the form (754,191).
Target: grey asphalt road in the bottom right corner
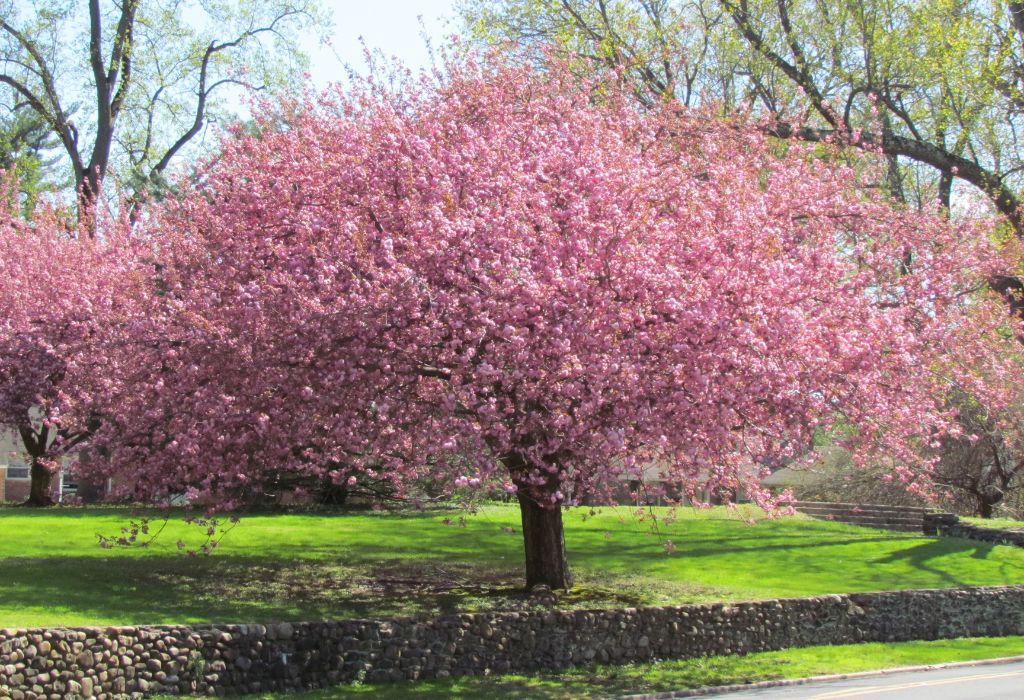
(998,682)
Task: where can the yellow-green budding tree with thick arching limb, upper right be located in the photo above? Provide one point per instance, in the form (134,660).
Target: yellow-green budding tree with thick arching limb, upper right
(936,86)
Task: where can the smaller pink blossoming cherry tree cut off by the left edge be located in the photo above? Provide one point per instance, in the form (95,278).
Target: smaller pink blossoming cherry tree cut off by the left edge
(62,293)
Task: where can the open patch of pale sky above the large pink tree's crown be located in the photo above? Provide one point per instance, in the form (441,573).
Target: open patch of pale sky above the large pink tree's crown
(395,27)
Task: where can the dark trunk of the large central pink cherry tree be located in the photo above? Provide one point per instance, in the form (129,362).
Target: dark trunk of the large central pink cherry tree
(544,541)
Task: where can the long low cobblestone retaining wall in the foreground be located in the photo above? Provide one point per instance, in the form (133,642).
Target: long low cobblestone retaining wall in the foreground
(115,663)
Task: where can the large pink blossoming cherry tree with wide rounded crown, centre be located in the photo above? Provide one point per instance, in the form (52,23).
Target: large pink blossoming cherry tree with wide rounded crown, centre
(503,277)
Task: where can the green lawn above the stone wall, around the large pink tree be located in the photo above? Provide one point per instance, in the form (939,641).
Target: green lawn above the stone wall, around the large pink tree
(370,564)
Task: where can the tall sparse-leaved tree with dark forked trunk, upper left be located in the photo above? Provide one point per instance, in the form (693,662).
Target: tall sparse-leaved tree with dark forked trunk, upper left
(126,86)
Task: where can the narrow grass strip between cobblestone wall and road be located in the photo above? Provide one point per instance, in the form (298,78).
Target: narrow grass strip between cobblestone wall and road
(665,676)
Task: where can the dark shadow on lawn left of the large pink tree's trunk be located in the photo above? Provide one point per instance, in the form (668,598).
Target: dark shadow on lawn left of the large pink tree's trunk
(166,590)
